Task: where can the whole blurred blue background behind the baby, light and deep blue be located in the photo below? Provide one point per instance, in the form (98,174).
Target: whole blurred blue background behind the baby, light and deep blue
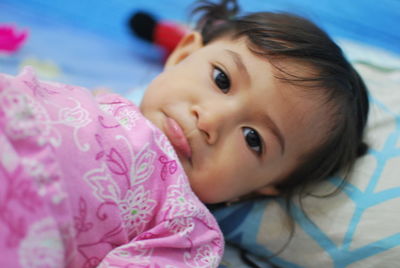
(87,42)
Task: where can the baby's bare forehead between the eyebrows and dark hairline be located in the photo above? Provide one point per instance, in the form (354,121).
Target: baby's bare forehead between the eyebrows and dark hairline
(307,114)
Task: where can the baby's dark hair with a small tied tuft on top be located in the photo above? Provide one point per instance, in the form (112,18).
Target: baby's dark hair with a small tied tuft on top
(288,36)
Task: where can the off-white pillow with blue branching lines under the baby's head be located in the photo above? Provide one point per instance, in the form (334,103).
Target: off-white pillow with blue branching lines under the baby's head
(358,227)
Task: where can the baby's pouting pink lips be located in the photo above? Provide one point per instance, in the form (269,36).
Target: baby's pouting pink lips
(177,138)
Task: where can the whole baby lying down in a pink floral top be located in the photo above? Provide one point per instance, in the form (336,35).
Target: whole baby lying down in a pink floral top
(263,104)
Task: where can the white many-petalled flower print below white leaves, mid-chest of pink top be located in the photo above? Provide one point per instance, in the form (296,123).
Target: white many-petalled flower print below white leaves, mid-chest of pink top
(136,209)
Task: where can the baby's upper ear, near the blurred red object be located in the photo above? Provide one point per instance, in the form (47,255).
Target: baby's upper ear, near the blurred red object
(189,44)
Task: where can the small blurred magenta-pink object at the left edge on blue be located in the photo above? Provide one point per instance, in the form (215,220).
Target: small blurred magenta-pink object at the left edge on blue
(10,39)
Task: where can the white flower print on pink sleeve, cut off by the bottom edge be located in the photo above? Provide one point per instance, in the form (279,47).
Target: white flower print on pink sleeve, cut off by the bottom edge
(205,257)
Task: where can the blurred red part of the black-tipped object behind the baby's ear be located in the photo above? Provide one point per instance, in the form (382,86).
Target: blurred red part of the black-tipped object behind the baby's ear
(167,35)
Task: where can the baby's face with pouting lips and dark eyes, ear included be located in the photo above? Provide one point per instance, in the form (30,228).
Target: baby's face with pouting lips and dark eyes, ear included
(236,128)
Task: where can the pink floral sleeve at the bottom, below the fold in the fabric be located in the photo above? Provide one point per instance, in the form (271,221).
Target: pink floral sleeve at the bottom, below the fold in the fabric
(161,247)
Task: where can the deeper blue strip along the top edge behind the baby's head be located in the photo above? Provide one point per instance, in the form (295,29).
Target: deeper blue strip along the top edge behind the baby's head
(368,21)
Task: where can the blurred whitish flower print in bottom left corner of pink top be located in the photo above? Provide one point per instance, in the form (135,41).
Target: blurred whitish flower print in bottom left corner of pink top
(42,247)
